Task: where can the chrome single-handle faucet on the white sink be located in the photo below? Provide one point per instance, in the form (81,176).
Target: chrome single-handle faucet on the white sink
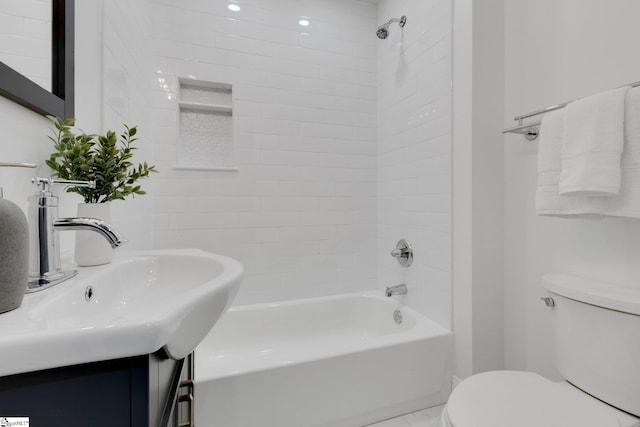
(45,269)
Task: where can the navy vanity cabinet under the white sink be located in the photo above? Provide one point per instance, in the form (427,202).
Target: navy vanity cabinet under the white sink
(137,391)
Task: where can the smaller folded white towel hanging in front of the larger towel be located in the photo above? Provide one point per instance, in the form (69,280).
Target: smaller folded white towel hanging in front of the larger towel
(592,144)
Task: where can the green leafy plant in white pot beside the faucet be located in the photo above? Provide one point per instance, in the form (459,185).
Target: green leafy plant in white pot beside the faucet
(105,159)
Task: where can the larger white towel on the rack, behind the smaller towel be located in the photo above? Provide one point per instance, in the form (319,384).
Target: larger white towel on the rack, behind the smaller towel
(625,204)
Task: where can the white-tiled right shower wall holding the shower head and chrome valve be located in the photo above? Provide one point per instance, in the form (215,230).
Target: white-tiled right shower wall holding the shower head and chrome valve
(414,151)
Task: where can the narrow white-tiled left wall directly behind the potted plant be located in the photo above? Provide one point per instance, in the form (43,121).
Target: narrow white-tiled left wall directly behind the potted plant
(126,90)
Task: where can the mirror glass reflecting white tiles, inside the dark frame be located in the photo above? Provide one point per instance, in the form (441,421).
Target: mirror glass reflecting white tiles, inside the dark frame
(25,38)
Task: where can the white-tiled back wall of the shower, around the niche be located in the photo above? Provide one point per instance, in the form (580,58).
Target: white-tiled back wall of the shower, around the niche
(300,213)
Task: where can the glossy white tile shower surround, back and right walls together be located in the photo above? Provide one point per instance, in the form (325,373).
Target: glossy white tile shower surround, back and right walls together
(313,144)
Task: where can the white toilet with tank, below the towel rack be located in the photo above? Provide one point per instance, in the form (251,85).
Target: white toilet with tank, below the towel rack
(597,334)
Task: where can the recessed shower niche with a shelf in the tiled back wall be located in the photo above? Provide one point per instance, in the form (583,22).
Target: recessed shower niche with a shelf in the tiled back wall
(205,140)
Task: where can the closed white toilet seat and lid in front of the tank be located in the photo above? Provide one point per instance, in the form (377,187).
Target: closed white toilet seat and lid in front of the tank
(525,399)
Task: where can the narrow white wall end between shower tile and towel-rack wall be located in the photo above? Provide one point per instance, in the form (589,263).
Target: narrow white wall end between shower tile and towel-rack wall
(477,186)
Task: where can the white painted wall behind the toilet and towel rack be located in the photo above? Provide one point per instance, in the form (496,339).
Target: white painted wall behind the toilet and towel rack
(555,51)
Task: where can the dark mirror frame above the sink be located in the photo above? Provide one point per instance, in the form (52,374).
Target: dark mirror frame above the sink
(58,102)
